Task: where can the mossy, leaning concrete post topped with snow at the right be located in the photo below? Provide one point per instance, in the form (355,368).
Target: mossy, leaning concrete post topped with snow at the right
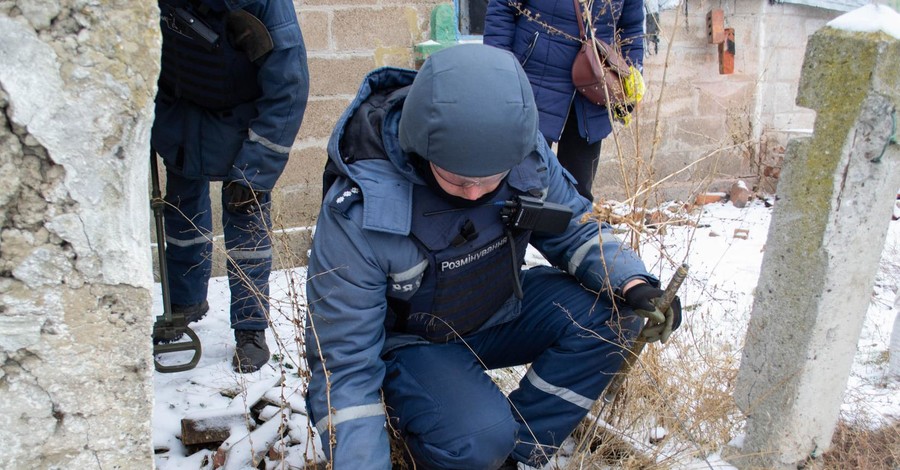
(828,228)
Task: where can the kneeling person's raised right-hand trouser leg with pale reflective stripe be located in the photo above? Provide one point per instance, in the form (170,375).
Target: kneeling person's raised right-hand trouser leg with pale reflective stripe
(573,341)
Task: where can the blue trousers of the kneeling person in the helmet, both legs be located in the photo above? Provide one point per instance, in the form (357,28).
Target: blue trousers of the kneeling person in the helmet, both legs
(453,416)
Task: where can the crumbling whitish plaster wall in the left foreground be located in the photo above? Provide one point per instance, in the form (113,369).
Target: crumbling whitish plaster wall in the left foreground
(76,85)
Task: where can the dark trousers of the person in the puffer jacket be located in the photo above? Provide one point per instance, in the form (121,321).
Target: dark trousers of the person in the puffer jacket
(578,156)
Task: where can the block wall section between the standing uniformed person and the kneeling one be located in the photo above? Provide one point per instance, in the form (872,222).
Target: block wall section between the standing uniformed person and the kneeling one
(345,39)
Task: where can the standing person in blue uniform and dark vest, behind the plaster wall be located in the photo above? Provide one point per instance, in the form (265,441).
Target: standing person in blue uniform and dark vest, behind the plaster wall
(233,89)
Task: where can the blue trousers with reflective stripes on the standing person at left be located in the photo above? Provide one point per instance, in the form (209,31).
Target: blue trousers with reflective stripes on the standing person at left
(188,224)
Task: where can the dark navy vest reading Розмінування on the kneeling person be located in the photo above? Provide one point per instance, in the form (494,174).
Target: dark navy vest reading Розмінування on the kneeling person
(473,263)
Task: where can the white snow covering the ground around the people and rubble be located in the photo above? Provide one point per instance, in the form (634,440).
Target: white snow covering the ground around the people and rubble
(723,248)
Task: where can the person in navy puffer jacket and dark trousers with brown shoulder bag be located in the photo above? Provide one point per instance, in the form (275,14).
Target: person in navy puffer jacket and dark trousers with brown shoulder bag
(544,36)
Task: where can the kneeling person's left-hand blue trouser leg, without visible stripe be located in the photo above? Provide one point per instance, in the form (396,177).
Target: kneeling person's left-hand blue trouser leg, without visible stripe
(448,410)
